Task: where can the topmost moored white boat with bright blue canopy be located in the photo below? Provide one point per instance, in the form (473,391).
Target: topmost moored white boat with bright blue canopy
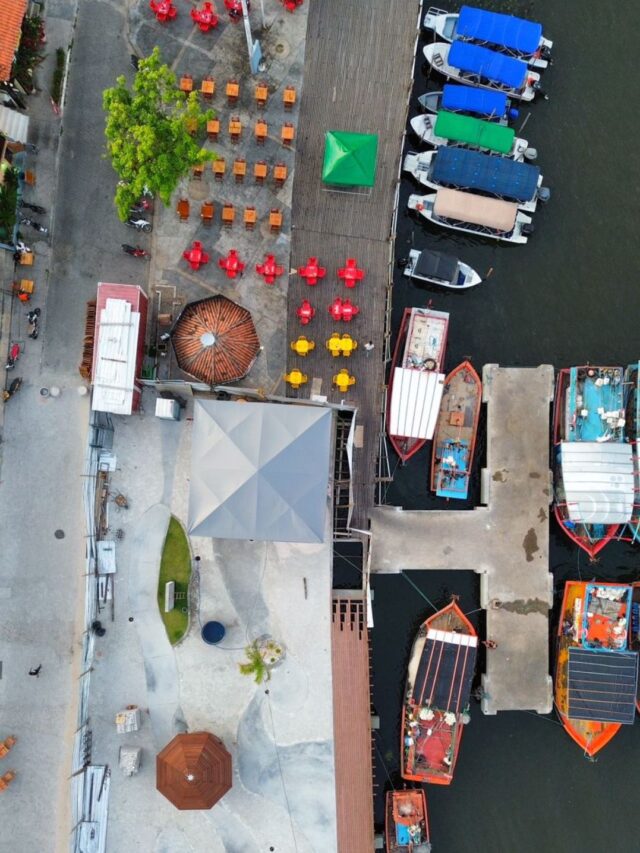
(516,37)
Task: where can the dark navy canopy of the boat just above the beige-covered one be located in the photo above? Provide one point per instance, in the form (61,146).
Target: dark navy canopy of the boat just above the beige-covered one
(472,170)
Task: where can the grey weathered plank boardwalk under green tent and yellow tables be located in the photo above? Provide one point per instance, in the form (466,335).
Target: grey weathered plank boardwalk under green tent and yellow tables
(357,77)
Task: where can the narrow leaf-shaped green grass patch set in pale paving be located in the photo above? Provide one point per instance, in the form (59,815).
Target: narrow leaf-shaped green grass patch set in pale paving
(175,566)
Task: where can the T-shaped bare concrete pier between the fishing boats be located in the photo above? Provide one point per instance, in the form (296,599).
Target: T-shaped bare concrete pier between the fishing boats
(505,541)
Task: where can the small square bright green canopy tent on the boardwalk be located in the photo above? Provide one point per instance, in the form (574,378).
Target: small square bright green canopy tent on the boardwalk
(350,159)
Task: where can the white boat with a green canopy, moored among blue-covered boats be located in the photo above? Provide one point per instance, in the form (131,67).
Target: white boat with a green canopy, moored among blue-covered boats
(455,130)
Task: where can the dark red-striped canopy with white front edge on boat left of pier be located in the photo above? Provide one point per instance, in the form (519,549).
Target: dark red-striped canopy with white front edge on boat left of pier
(445,671)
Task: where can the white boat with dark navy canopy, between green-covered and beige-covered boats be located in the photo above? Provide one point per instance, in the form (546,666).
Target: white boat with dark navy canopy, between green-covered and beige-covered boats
(498,177)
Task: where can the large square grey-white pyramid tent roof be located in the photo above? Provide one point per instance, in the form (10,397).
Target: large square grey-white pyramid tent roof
(259,471)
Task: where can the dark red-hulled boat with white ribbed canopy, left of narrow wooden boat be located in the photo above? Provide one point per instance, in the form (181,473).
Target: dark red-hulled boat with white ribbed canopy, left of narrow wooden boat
(416,380)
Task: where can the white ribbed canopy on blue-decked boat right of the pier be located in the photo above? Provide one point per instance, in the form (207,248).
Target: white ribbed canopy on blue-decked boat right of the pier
(598,481)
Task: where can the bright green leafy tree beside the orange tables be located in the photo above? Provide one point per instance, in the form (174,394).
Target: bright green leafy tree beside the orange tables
(149,133)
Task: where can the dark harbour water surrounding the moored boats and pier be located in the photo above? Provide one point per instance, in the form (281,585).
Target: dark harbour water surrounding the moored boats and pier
(569,296)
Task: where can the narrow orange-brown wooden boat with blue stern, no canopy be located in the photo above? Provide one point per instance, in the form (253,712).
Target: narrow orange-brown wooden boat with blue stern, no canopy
(454,442)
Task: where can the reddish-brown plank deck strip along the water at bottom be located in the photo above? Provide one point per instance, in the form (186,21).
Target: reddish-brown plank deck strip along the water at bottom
(352,725)
